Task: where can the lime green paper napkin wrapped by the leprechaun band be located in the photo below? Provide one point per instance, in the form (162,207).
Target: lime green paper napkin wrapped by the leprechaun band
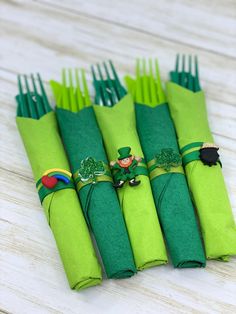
(118,128)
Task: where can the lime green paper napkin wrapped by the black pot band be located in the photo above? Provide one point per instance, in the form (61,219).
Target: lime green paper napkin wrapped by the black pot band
(188,110)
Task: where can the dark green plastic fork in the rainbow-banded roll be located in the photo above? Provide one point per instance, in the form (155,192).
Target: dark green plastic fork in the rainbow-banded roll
(31,104)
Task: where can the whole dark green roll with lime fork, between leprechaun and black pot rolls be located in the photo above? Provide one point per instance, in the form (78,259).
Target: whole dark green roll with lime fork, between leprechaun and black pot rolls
(169,186)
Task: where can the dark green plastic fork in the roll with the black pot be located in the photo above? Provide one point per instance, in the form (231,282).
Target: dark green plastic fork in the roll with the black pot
(184,78)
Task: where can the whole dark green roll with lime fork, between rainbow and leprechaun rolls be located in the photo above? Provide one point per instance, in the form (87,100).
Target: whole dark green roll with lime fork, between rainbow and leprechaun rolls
(82,140)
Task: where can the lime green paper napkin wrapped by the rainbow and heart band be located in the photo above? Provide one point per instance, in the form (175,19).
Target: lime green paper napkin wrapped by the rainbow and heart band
(62,209)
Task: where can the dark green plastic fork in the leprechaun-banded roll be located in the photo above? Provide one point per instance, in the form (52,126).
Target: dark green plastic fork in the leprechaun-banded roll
(108,88)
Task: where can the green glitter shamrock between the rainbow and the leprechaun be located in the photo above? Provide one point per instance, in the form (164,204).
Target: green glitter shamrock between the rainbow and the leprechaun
(90,169)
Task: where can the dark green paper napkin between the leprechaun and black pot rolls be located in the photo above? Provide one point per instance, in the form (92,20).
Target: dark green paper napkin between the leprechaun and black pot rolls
(170,190)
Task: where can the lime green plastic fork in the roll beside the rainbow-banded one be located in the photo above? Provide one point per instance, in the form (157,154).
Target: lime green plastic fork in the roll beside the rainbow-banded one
(75,93)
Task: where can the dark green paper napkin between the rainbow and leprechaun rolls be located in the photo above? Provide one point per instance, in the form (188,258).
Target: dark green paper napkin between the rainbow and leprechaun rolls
(82,139)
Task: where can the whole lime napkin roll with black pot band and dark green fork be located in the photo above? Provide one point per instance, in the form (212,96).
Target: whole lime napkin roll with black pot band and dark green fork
(206,182)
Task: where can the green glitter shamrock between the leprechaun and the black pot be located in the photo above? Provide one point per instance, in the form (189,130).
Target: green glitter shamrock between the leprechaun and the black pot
(167,159)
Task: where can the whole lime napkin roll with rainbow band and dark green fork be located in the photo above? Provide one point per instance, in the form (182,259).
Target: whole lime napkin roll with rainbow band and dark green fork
(38,128)
